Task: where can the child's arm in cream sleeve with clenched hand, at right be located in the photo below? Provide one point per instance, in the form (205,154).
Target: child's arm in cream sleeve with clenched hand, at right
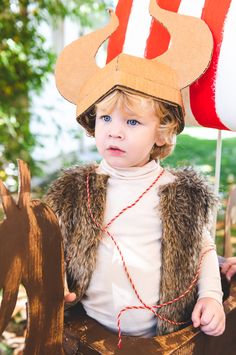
(208,313)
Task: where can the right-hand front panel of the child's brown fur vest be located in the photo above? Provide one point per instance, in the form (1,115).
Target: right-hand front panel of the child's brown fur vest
(185,206)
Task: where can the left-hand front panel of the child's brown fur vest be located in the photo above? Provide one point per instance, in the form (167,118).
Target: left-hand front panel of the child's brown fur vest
(68,198)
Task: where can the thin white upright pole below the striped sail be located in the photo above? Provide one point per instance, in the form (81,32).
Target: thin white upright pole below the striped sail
(217,178)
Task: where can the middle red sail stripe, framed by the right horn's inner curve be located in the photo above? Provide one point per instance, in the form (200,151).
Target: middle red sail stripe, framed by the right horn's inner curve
(159,38)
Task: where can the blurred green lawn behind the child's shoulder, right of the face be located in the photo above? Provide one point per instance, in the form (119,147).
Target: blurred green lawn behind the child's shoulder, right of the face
(200,153)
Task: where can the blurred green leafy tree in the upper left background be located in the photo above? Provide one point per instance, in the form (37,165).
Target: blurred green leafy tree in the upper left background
(25,61)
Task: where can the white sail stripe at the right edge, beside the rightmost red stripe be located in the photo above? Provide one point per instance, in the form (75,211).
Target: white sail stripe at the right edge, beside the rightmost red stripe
(225,86)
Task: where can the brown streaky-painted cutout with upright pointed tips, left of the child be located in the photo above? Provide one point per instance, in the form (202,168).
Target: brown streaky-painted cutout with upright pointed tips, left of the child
(31,254)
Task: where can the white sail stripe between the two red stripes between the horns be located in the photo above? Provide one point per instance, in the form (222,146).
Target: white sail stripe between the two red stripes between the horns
(138,28)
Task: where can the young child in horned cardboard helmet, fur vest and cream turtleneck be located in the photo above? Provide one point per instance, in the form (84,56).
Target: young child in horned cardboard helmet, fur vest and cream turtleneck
(134,233)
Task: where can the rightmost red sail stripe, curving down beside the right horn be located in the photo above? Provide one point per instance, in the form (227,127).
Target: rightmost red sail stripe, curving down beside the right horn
(202,95)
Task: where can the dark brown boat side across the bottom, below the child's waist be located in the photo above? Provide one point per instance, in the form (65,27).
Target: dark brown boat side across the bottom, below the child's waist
(86,336)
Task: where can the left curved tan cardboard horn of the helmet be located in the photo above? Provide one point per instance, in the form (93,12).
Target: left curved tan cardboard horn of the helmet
(77,62)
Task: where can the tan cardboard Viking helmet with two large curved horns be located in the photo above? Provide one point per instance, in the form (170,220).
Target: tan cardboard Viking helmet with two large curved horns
(82,82)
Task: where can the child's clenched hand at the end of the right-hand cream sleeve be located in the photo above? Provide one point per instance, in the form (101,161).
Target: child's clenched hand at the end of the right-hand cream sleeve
(208,314)
